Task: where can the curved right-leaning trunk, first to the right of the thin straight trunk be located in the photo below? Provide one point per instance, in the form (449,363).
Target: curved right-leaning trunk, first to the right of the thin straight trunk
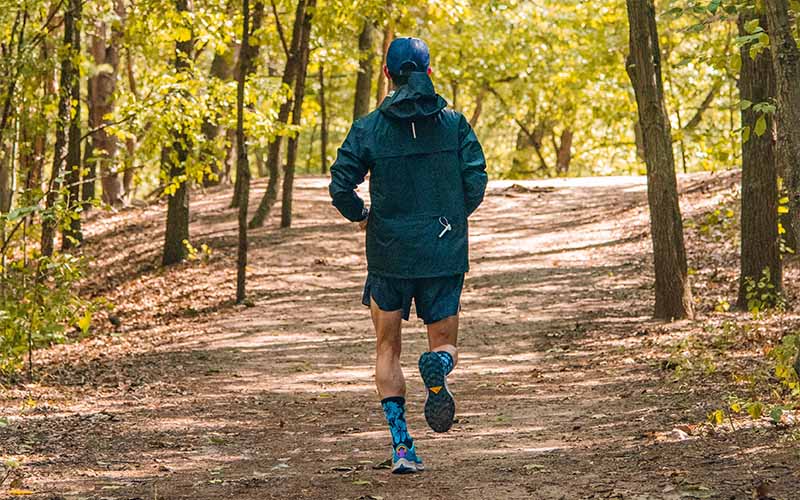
(274,150)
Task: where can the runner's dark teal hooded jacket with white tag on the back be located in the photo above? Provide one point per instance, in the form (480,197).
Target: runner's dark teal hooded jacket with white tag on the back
(427,173)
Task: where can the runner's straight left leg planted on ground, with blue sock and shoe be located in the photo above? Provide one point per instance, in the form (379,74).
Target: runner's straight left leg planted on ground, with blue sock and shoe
(392,388)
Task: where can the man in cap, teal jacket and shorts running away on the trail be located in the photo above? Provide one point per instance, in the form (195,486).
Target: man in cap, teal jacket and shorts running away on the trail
(428,174)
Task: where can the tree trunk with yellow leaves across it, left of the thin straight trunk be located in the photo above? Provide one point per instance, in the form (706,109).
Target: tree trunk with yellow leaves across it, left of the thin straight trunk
(175,161)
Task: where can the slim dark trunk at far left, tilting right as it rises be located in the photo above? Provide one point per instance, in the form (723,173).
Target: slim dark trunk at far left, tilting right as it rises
(68,69)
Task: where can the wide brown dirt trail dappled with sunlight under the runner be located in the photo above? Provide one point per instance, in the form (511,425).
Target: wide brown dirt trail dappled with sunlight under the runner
(560,392)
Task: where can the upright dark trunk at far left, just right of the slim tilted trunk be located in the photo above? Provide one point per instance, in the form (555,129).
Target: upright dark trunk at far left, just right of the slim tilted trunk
(72,235)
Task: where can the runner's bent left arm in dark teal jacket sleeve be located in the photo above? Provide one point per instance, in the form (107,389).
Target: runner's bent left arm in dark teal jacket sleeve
(347,172)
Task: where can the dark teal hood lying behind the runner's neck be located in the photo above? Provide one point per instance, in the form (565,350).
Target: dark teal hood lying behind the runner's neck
(416,99)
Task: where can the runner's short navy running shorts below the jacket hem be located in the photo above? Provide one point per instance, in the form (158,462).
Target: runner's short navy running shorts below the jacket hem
(434,298)
